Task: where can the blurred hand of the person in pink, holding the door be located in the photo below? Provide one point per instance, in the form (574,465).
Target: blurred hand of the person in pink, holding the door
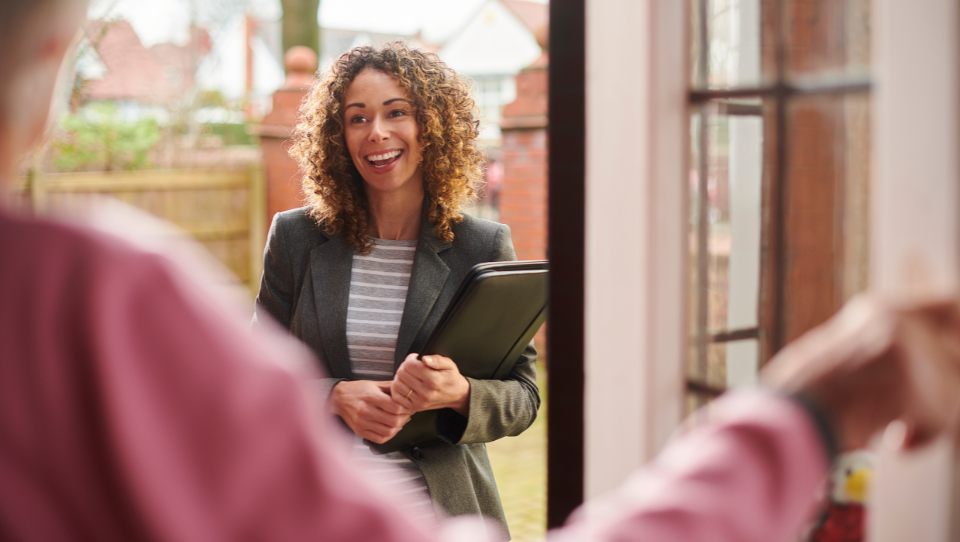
(876,361)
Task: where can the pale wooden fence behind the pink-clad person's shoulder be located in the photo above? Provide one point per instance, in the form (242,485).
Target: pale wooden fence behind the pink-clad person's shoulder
(225,210)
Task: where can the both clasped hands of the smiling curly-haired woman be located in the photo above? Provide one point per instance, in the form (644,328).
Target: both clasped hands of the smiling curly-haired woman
(377,411)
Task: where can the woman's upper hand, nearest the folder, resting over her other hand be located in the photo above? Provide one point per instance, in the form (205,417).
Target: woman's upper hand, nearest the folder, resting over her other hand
(431,383)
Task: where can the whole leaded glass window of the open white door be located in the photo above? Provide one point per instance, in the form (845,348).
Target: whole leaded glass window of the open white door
(779,178)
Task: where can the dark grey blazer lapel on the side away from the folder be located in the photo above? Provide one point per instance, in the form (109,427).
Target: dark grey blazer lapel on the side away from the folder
(331,264)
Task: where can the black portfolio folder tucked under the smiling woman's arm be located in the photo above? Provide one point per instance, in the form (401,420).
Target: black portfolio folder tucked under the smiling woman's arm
(493,316)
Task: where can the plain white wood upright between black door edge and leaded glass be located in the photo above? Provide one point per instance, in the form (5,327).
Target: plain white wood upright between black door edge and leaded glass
(635,289)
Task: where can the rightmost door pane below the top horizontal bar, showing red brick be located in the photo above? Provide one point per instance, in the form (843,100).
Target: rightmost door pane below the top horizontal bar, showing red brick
(827,187)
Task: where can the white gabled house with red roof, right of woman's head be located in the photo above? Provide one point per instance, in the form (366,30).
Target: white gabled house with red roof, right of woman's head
(500,39)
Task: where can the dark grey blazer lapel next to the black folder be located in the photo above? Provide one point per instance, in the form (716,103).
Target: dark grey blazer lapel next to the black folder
(426,281)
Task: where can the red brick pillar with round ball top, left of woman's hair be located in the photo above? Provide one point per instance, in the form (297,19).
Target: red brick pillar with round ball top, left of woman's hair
(283,181)
